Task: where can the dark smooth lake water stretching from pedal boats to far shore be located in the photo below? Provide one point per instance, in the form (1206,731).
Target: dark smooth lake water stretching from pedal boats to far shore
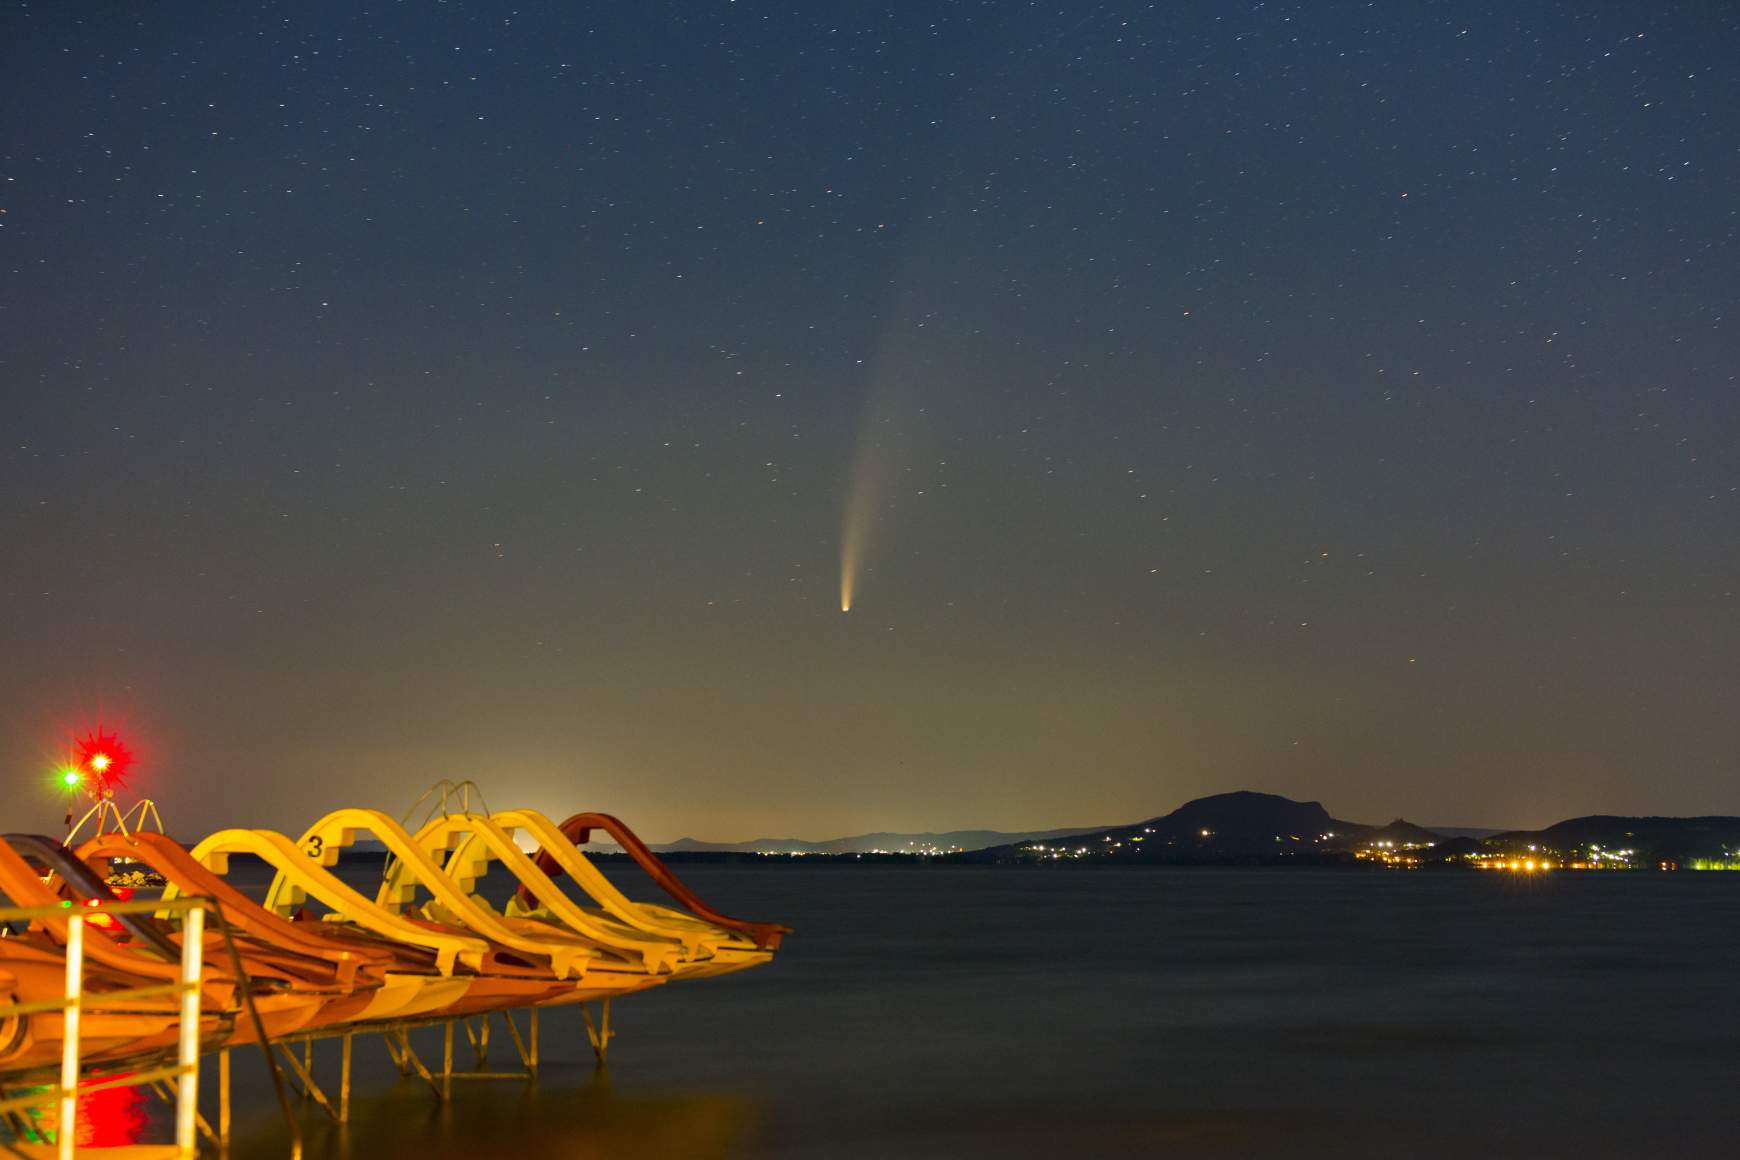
(940,1011)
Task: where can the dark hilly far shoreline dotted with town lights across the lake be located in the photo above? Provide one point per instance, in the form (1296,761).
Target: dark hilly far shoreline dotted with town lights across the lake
(1248,829)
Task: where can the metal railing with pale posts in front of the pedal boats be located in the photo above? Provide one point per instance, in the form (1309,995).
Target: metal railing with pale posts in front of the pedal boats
(187,1067)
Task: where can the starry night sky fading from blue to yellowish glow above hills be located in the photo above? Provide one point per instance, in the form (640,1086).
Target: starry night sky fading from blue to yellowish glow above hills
(1327,399)
